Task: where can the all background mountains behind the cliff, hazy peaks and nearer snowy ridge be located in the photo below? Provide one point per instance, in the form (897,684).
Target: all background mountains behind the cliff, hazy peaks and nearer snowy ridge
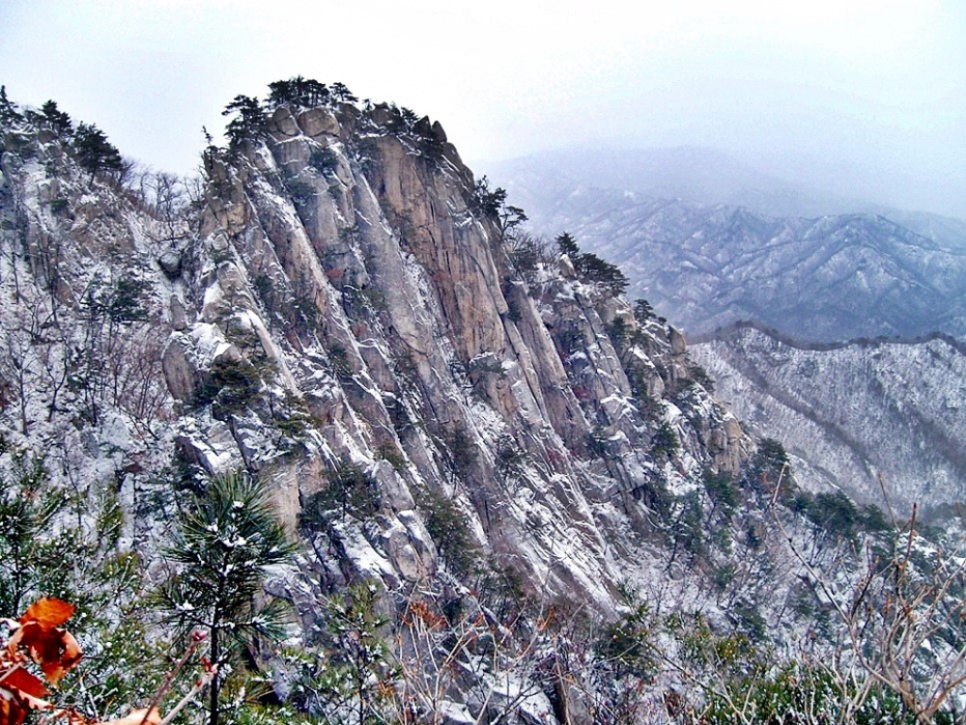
(709,241)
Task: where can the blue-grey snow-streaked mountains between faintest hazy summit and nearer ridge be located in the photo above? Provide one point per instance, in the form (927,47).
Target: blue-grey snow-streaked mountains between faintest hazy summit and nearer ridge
(705,266)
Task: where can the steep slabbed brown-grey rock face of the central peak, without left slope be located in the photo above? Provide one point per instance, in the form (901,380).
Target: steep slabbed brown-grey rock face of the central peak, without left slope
(420,339)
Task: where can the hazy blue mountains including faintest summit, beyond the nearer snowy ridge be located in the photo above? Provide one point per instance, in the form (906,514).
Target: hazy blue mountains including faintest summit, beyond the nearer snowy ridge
(671,222)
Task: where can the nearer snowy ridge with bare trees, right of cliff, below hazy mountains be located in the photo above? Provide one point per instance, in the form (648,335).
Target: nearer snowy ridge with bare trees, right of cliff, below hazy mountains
(851,412)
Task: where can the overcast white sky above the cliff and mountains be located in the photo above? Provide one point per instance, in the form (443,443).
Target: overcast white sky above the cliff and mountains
(860,97)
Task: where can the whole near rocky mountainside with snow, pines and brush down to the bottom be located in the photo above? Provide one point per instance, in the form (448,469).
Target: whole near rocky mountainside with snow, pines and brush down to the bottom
(499,491)
